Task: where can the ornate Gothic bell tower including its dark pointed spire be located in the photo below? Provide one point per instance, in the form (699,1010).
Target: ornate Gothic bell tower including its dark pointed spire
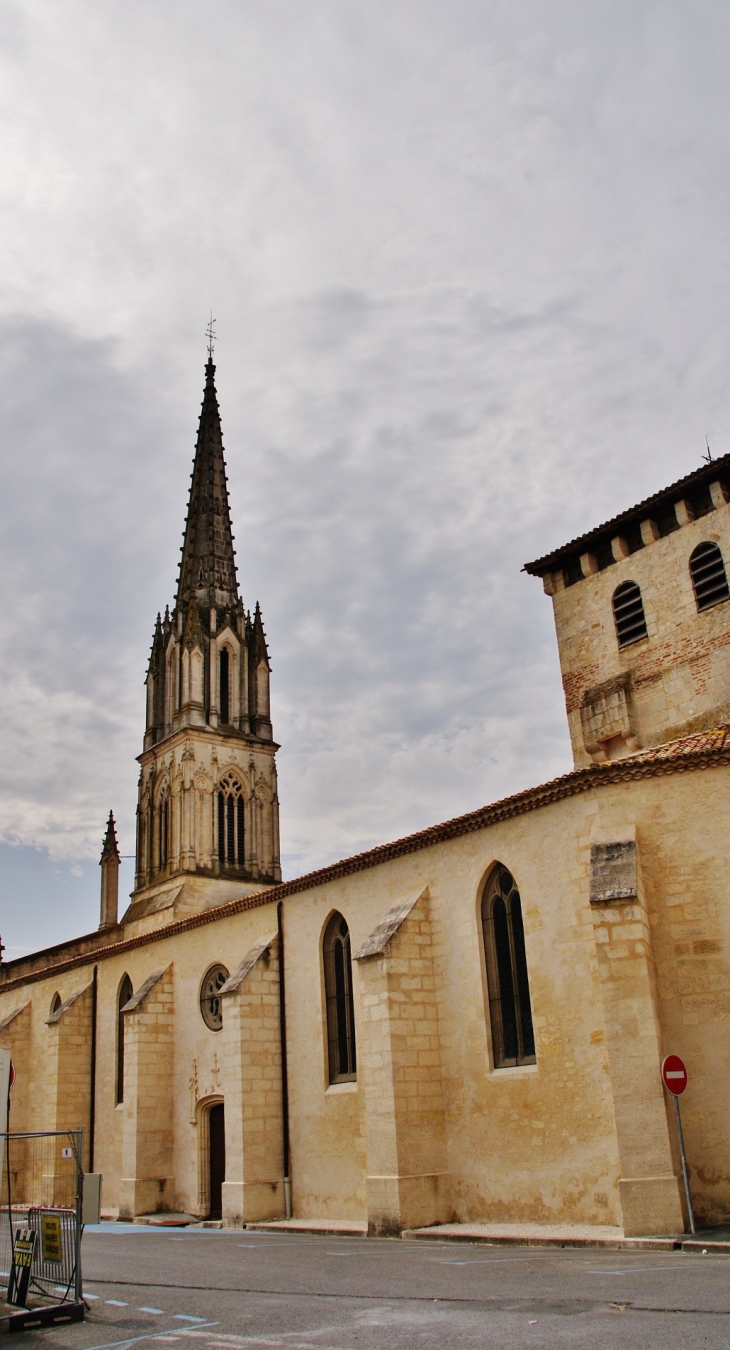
(208,827)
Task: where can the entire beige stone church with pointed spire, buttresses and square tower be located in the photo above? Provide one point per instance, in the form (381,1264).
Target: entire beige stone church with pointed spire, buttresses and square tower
(466,1025)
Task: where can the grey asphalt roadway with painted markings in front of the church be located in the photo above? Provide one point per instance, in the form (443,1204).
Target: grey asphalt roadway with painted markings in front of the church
(229,1290)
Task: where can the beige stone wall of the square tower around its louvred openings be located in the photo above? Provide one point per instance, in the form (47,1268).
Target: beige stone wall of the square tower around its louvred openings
(675,681)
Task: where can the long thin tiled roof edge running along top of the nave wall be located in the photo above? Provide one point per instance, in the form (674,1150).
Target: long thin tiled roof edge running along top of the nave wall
(704,750)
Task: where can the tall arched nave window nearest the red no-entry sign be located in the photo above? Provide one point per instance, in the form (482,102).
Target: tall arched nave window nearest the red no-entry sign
(509,990)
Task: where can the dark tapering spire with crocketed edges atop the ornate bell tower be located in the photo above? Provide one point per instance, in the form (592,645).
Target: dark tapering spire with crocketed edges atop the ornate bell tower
(207,568)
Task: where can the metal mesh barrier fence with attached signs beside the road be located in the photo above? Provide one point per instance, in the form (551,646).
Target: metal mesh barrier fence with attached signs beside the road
(41,1194)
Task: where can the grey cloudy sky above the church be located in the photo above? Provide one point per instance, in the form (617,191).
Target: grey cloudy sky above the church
(470,268)
